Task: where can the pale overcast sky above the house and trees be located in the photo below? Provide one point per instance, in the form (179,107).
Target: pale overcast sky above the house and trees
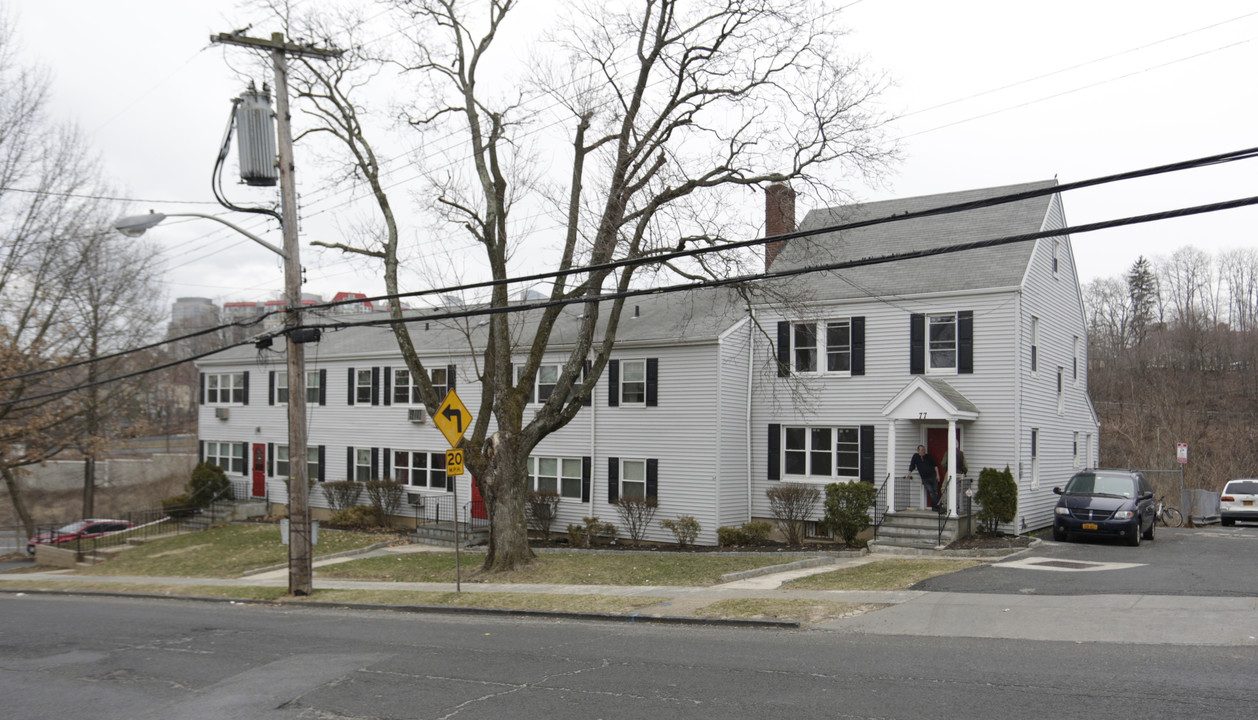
(988,93)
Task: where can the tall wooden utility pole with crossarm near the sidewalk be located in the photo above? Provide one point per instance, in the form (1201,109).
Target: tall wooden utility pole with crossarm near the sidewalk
(300,552)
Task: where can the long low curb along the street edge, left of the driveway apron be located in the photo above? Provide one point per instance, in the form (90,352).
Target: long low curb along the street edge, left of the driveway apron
(435,610)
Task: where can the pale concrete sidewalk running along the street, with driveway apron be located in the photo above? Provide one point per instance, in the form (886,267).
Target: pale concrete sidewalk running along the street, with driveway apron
(1154,620)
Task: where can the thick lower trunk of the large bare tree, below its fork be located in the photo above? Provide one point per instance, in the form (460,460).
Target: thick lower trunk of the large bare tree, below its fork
(504,497)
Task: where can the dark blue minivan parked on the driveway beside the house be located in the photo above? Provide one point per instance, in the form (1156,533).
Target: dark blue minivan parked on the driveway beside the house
(1115,503)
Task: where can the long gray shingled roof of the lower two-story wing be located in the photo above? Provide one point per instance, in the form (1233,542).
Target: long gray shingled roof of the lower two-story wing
(693,317)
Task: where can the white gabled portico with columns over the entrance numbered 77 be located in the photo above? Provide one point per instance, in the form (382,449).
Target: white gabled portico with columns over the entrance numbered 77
(925,402)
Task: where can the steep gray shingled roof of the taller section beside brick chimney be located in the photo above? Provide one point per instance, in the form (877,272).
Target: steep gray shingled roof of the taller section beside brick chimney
(971,270)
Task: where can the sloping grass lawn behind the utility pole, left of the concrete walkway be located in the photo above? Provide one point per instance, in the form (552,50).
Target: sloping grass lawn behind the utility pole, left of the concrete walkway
(222,552)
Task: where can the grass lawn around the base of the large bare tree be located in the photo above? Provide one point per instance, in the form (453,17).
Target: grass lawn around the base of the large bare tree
(567,570)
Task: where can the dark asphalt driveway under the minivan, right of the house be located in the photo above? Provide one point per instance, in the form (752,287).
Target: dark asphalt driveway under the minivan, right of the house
(1220,562)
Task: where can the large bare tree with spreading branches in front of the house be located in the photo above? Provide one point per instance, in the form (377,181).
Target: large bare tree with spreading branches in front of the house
(665,110)
